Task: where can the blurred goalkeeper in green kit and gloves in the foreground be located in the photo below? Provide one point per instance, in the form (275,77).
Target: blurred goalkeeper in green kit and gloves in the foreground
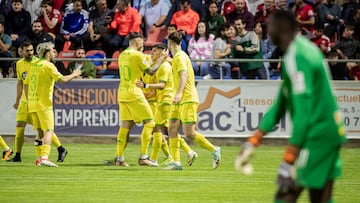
(318,131)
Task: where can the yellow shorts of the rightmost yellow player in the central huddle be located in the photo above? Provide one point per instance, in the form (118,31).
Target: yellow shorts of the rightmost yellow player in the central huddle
(186,113)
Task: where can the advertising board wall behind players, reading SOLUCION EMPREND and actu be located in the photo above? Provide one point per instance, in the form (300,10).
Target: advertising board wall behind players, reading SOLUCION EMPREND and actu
(228,108)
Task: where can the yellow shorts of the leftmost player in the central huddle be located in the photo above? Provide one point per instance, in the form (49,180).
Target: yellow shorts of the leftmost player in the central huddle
(138,111)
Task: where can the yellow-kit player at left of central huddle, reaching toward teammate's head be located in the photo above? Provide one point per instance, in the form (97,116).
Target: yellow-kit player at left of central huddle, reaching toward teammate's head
(132,103)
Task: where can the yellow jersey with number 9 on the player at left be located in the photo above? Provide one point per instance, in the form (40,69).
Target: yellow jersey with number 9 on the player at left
(40,79)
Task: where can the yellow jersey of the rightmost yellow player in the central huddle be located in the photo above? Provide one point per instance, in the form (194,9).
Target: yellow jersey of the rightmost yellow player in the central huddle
(181,62)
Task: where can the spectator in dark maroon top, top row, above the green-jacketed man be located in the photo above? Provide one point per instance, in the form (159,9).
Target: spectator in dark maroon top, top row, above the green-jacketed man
(243,13)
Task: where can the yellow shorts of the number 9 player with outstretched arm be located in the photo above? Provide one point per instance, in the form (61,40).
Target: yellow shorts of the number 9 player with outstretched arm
(43,120)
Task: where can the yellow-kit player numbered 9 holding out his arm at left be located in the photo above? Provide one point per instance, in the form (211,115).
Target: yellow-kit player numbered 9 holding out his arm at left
(39,87)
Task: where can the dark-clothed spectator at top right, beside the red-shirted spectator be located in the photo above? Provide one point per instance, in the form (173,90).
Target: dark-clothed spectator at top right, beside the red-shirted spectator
(329,14)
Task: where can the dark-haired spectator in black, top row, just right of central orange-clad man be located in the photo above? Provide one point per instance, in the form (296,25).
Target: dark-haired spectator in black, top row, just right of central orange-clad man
(213,18)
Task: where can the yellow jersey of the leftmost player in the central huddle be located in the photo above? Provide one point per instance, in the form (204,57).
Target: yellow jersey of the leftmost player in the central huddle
(132,65)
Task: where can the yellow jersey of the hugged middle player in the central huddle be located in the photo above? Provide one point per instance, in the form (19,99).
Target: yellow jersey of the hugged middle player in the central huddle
(164,74)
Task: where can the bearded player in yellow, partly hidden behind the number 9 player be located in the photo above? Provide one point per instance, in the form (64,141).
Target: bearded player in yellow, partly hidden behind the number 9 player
(22,115)
